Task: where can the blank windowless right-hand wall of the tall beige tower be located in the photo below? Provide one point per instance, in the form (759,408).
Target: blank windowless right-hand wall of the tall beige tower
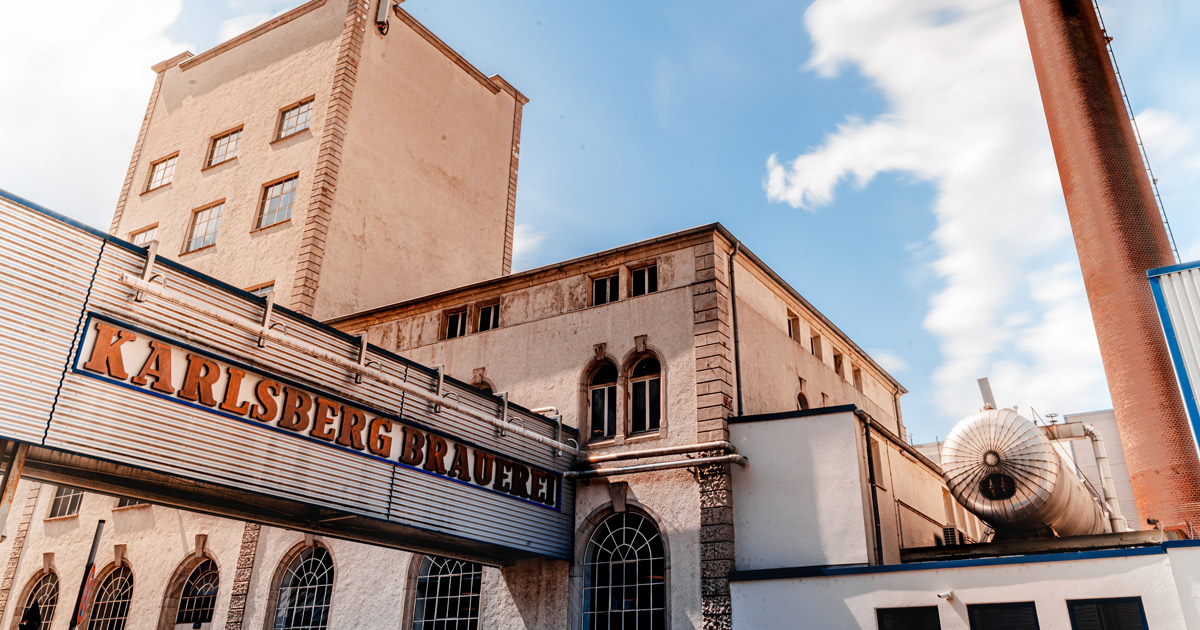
(424,179)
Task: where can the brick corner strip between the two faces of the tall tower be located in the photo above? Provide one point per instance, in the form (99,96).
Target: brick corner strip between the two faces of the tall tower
(329,160)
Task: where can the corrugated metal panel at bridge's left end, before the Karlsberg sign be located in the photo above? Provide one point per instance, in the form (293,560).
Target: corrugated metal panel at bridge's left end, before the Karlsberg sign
(45,269)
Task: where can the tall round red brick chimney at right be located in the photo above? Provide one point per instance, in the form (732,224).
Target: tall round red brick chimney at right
(1119,236)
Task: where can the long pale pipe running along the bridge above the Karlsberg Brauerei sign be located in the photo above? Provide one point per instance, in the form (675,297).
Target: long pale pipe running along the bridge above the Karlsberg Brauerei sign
(349,365)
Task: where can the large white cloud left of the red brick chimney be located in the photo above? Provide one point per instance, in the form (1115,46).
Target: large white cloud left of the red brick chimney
(964,116)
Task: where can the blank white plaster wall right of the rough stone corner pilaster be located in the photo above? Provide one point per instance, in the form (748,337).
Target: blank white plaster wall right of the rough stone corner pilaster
(801,501)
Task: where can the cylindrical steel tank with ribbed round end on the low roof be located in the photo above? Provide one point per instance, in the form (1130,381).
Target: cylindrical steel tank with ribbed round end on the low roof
(1006,471)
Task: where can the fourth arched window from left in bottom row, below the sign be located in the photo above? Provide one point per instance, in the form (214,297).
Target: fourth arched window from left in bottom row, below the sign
(308,584)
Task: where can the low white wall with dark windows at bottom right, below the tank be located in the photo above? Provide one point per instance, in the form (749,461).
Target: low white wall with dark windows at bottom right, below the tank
(850,602)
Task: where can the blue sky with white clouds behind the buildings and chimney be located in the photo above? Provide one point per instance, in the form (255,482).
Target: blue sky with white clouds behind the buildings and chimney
(889,158)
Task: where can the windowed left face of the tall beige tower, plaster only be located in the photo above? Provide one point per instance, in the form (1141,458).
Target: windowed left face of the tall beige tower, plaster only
(244,86)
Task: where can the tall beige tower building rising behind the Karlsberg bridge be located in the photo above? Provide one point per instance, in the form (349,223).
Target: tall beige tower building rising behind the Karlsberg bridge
(278,159)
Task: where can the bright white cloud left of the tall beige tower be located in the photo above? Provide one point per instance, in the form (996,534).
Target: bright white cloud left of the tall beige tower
(75,95)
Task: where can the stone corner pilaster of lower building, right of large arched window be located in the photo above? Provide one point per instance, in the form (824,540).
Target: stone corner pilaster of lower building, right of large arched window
(715,405)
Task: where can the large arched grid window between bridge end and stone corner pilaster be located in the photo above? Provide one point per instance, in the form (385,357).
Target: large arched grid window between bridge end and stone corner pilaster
(626,575)
